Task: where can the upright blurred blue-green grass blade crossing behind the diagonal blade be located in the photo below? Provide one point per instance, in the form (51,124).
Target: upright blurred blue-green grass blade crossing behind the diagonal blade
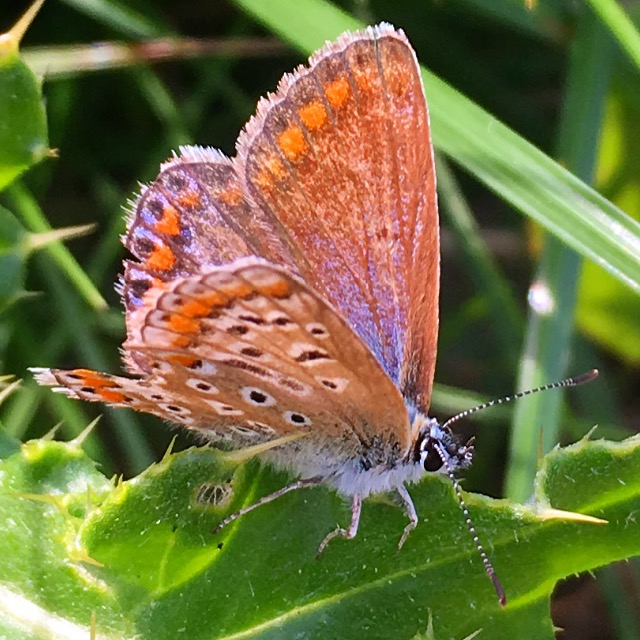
(548,341)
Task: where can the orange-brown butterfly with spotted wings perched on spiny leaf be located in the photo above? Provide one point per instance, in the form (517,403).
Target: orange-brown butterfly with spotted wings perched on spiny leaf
(289,296)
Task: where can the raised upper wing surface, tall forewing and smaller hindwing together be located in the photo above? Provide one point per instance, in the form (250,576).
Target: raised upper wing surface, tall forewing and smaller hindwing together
(335,180)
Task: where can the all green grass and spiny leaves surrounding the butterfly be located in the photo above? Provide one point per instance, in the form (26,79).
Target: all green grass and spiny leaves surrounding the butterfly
(549,205)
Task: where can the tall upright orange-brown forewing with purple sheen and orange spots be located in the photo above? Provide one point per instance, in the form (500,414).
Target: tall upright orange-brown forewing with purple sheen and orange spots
(341,156)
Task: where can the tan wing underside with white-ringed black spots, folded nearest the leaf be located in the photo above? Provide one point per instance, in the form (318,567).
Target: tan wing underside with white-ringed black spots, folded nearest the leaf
(249,351)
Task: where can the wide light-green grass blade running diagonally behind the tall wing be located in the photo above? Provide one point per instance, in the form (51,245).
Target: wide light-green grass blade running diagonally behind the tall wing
(516,170)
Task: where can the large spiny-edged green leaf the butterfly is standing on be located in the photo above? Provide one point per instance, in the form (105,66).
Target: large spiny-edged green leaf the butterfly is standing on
(141,555)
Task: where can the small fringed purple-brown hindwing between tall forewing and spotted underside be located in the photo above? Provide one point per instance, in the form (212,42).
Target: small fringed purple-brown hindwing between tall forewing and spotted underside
(194,215)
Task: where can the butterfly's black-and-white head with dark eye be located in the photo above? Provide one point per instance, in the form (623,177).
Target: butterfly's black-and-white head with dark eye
(438,449)
